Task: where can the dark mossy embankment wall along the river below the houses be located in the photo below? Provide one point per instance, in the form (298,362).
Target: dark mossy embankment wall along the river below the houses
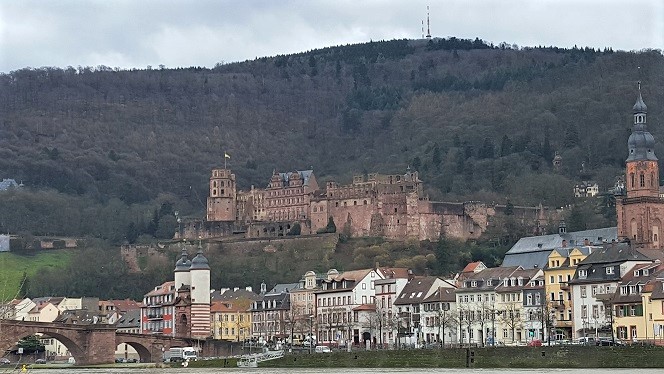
(572,356)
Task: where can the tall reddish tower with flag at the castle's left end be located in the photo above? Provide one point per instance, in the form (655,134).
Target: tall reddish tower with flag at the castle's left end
(221,200)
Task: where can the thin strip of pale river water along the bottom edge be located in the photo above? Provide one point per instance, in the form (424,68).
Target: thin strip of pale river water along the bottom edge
(348,370)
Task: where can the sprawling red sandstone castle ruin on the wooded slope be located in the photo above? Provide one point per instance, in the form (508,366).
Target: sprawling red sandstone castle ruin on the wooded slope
(390,206)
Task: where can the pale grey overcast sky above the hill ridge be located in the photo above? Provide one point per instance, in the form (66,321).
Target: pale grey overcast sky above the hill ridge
(138,33)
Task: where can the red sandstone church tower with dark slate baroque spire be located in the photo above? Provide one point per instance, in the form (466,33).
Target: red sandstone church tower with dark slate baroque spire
(640,210)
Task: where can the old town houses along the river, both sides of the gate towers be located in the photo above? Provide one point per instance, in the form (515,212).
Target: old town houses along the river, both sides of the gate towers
(599,290)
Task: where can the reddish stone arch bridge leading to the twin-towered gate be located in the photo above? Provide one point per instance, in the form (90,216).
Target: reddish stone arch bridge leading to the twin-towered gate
(89,344)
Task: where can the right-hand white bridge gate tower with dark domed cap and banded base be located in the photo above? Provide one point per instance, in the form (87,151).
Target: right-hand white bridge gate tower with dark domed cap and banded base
(200,296)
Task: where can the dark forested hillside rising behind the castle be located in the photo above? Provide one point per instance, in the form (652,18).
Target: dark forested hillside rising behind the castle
(478,121)
